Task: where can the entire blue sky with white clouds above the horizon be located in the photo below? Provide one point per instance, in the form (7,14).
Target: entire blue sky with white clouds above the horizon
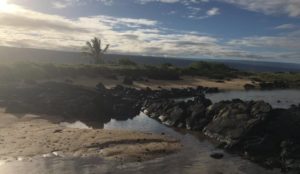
(265,30)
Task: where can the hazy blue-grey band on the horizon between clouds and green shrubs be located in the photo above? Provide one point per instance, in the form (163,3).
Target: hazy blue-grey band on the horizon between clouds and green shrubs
(9,55)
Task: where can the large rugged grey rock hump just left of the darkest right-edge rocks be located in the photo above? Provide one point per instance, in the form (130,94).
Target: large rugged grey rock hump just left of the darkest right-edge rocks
(233,120)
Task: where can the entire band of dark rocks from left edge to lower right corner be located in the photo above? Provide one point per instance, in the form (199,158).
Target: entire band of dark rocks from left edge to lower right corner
(253,129)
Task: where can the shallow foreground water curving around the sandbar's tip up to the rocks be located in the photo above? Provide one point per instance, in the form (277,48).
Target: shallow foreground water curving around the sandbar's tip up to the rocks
(193,158)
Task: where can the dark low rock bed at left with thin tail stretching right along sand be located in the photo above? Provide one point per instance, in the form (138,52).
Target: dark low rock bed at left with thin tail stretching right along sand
(80,103)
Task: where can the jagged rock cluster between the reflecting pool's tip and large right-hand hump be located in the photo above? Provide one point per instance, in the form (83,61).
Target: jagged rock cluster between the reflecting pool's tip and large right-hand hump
(190,114)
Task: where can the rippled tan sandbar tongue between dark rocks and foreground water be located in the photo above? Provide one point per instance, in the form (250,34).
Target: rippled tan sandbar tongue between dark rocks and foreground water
(32,135)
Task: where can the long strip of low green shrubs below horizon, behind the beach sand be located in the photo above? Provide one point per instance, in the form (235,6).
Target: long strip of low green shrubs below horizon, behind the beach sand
(126,67)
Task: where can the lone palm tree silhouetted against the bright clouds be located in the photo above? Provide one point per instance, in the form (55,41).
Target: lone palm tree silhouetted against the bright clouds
(94,49)
